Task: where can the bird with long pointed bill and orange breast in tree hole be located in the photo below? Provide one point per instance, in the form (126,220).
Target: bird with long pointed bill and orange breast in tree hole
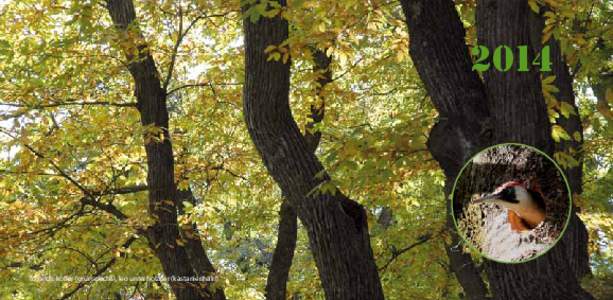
(525,204)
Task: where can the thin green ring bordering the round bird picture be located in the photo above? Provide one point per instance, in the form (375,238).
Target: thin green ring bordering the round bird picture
(568,215)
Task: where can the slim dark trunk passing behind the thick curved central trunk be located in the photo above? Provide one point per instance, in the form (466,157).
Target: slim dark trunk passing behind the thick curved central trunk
(276,282)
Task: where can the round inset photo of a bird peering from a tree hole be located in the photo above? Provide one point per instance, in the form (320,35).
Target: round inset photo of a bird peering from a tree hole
(511,203)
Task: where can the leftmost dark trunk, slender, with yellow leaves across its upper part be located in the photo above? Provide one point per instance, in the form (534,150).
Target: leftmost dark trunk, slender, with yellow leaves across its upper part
(164,199)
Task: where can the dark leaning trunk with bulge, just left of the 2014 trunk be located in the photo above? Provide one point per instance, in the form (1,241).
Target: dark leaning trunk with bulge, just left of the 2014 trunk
(441,57)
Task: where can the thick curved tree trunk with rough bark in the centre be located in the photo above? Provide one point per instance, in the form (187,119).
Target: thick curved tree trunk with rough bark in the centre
(336,225)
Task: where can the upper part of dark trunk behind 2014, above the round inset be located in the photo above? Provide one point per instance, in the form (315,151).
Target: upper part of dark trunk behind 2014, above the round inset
(515,100)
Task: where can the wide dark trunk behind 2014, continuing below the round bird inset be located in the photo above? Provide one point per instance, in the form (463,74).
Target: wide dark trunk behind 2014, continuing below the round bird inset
(520,114)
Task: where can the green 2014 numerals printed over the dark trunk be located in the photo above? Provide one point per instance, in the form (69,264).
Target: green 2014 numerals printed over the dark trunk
(503,59)
